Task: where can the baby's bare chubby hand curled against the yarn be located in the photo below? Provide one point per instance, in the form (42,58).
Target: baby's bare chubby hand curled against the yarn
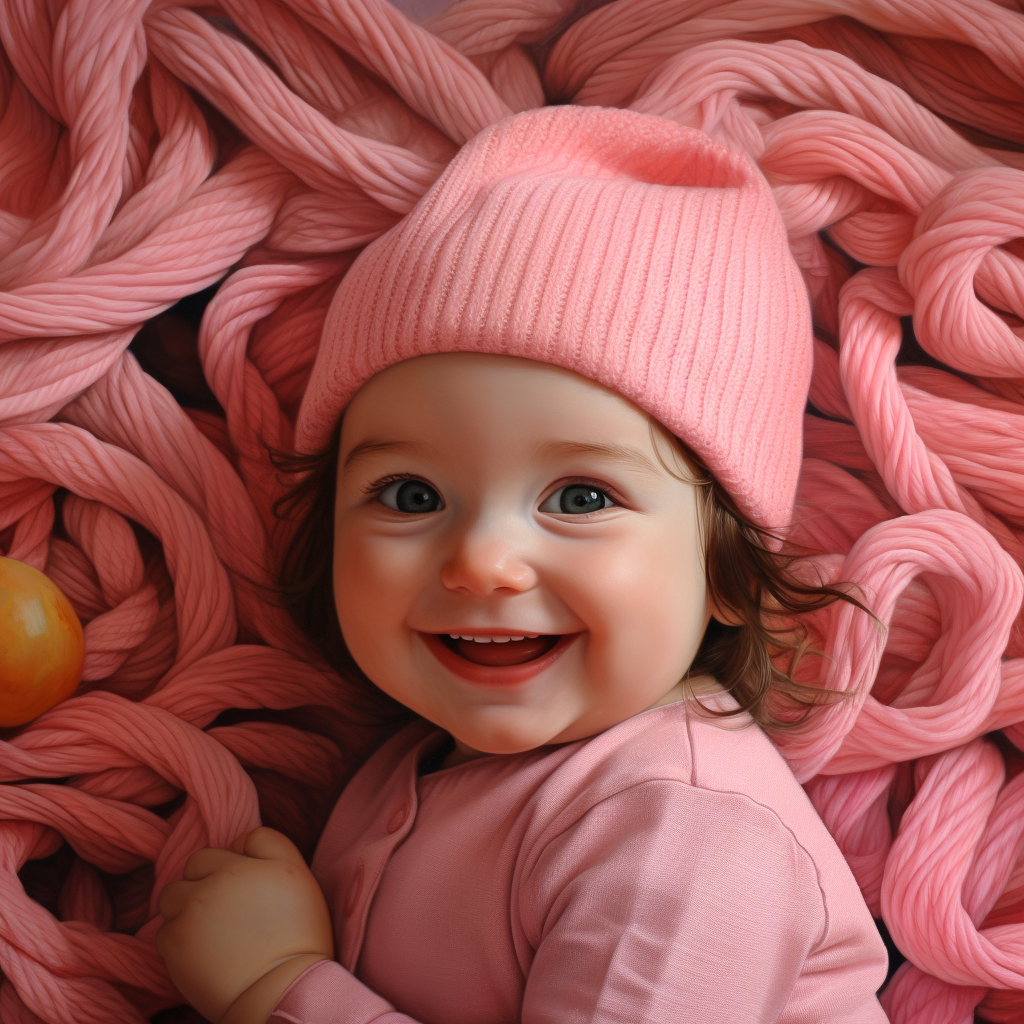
(237,916)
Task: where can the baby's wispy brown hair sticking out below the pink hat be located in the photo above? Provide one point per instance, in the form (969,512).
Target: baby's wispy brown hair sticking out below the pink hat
(754,584)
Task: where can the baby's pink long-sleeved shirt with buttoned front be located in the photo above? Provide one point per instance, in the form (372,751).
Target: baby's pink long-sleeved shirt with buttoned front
(670,871)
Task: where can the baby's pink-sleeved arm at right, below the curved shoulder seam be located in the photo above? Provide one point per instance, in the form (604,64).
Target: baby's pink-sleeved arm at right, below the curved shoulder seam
(667,903)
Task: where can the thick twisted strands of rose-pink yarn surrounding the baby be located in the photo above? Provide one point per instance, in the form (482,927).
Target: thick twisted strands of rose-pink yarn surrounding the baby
(892,136)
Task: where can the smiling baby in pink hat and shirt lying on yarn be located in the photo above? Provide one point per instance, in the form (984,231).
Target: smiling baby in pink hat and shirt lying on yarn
(573,382)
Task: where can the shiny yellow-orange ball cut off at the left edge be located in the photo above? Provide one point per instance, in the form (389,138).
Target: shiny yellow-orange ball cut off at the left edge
(41,645)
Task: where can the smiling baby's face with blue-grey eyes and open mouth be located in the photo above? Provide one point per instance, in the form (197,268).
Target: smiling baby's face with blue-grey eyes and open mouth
(497,498)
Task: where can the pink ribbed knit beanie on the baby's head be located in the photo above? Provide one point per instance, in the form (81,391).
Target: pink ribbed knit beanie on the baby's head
(636,252)
